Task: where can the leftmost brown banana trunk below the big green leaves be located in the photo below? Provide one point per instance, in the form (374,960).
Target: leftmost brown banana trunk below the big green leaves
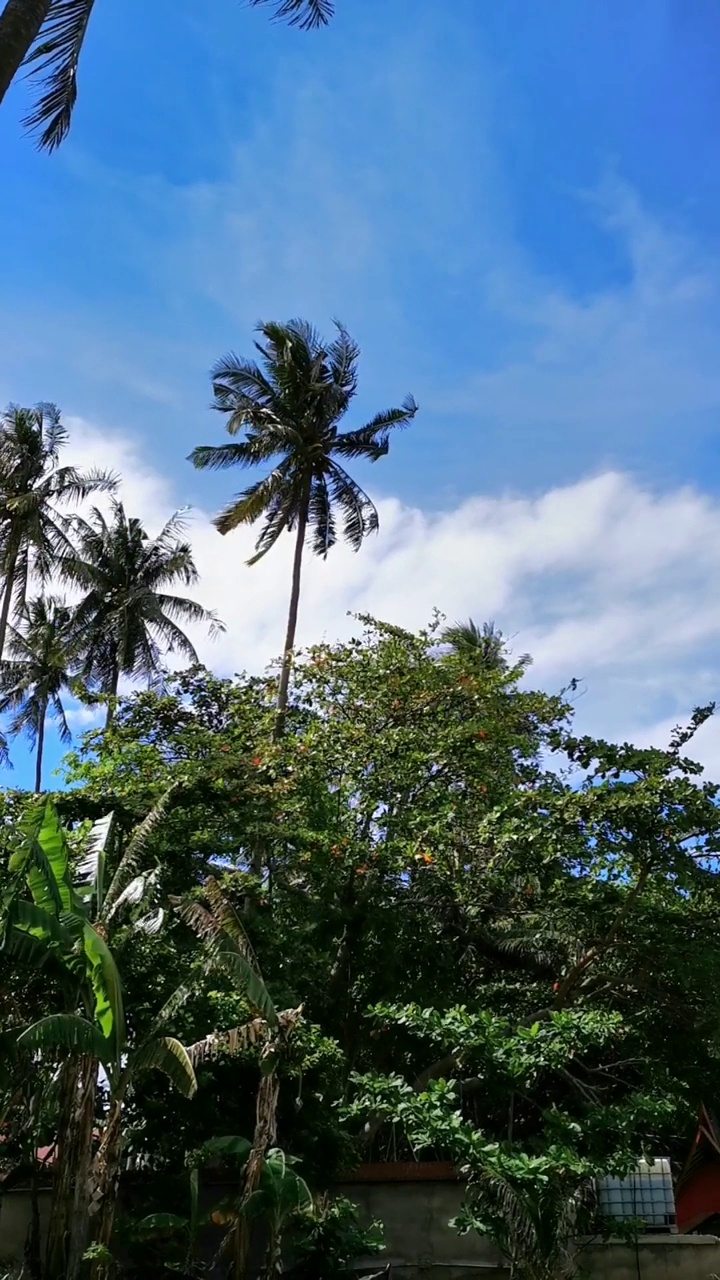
(70,1212)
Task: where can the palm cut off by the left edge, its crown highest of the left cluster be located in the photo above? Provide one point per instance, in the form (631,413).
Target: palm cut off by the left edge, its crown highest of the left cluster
(34,490)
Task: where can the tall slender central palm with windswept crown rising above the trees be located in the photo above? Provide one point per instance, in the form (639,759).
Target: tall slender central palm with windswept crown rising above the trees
(290,408)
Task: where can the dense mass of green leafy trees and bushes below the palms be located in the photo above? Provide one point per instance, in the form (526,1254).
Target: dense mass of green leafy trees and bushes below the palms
(502,964)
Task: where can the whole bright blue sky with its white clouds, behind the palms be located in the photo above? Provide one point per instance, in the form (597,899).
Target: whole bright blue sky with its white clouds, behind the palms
(513,207)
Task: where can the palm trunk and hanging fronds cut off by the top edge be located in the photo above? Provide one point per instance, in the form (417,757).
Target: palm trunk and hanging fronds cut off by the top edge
(49,35)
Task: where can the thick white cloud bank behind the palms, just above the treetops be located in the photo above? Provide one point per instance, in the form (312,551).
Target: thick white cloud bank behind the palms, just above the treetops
(601,580)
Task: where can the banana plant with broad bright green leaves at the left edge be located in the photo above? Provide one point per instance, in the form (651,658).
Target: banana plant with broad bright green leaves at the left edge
(58,916)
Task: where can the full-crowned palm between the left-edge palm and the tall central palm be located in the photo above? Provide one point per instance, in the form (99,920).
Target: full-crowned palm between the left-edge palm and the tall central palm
(126,616)
